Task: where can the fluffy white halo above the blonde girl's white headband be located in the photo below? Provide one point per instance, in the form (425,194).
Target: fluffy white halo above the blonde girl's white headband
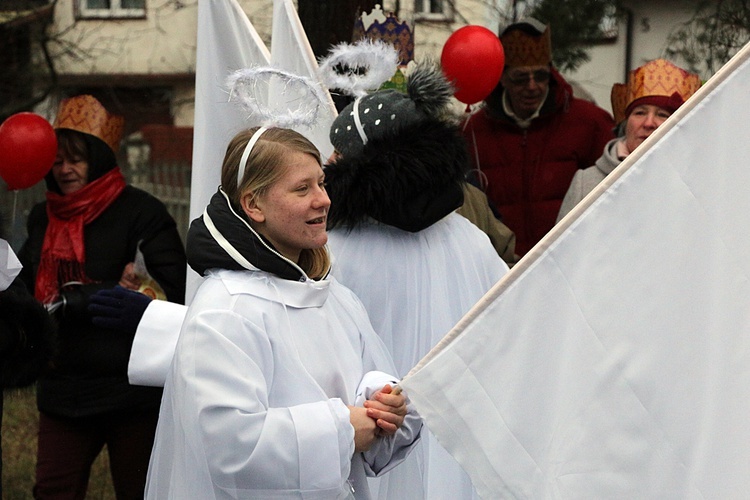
(276,97)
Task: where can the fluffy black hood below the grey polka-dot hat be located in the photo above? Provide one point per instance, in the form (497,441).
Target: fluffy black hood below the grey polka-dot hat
(410,179)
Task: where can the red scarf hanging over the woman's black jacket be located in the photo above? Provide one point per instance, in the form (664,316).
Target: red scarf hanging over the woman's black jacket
(63,253)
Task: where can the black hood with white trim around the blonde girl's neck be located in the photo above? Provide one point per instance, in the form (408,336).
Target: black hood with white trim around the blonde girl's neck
(204,251)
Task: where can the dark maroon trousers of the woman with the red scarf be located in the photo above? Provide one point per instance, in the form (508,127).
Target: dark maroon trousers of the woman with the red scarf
(69,446)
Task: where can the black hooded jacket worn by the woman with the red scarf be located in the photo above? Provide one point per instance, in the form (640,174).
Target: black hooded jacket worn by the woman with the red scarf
(89,374)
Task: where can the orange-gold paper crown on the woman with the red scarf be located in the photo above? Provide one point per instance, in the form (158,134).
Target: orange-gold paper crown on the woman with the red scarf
(85,114)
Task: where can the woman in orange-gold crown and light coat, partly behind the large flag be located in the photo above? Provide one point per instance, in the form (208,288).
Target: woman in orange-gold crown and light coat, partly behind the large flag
(653,92)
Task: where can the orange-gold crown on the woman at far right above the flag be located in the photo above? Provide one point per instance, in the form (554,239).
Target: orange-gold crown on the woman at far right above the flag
(657,78)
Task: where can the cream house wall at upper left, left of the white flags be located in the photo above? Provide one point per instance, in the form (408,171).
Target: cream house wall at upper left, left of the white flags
(157,51)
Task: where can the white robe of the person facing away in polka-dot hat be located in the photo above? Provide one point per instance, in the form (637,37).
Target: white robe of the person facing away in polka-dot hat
(416,287)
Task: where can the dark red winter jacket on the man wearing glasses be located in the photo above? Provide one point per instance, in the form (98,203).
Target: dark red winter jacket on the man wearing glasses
(528,171)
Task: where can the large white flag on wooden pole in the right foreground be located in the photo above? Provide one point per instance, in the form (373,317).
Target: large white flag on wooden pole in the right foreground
(613,361)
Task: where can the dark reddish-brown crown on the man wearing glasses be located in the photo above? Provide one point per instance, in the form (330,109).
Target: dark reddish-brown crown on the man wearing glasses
(523,48)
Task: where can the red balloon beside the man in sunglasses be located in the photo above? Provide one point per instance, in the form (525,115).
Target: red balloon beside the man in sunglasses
(473,60)
